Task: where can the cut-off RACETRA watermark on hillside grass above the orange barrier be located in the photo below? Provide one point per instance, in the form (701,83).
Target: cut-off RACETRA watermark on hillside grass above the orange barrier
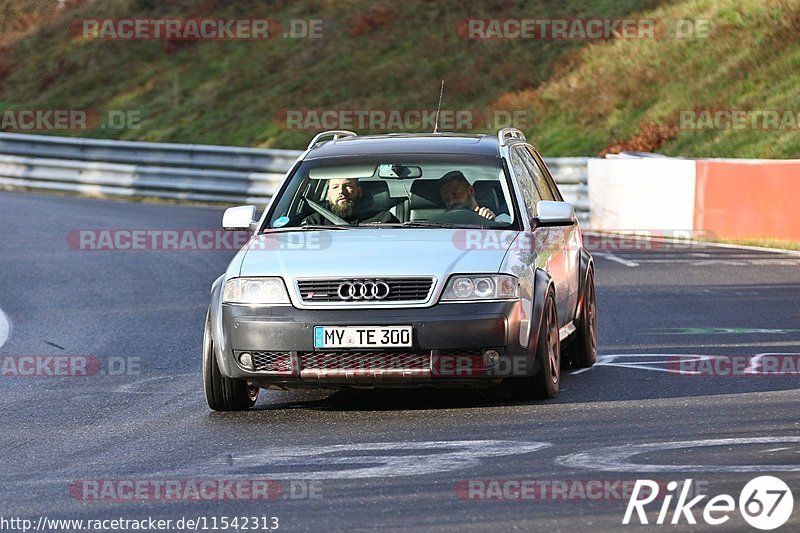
(739,119)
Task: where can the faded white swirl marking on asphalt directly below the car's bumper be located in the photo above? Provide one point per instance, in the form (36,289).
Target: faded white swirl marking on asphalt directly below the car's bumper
(359,460)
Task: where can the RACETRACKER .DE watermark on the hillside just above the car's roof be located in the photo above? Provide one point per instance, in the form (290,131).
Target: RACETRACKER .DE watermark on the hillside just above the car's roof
(400,119)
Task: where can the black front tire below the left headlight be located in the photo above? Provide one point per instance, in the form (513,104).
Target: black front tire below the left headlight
(223,393)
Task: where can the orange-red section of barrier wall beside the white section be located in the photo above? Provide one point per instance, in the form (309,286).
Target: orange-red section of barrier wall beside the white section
(743,200)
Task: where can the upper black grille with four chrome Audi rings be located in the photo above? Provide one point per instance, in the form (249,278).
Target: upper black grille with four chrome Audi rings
(399,289)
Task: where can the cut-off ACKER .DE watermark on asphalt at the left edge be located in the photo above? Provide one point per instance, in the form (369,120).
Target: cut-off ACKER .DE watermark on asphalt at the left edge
(59,366)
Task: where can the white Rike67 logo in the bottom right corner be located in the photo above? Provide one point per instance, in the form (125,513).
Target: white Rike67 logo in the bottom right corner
(765,503)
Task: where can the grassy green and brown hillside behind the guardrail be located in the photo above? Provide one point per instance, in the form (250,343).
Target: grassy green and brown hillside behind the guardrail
(576,97)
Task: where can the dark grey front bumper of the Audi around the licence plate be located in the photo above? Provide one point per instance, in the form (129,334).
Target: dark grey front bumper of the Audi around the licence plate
(450,343)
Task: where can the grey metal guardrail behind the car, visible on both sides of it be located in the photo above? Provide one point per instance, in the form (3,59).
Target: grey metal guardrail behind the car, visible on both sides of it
(184,172)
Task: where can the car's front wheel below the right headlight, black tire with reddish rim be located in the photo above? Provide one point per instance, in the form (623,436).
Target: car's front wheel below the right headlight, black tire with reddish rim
(545,383)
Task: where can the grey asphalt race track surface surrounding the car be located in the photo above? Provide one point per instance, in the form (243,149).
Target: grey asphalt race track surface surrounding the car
(387,459)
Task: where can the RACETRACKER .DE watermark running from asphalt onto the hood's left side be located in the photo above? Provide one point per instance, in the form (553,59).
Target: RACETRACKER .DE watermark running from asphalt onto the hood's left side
(192,240)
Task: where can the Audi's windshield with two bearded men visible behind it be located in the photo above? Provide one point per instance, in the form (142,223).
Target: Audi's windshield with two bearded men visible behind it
(396,191)
